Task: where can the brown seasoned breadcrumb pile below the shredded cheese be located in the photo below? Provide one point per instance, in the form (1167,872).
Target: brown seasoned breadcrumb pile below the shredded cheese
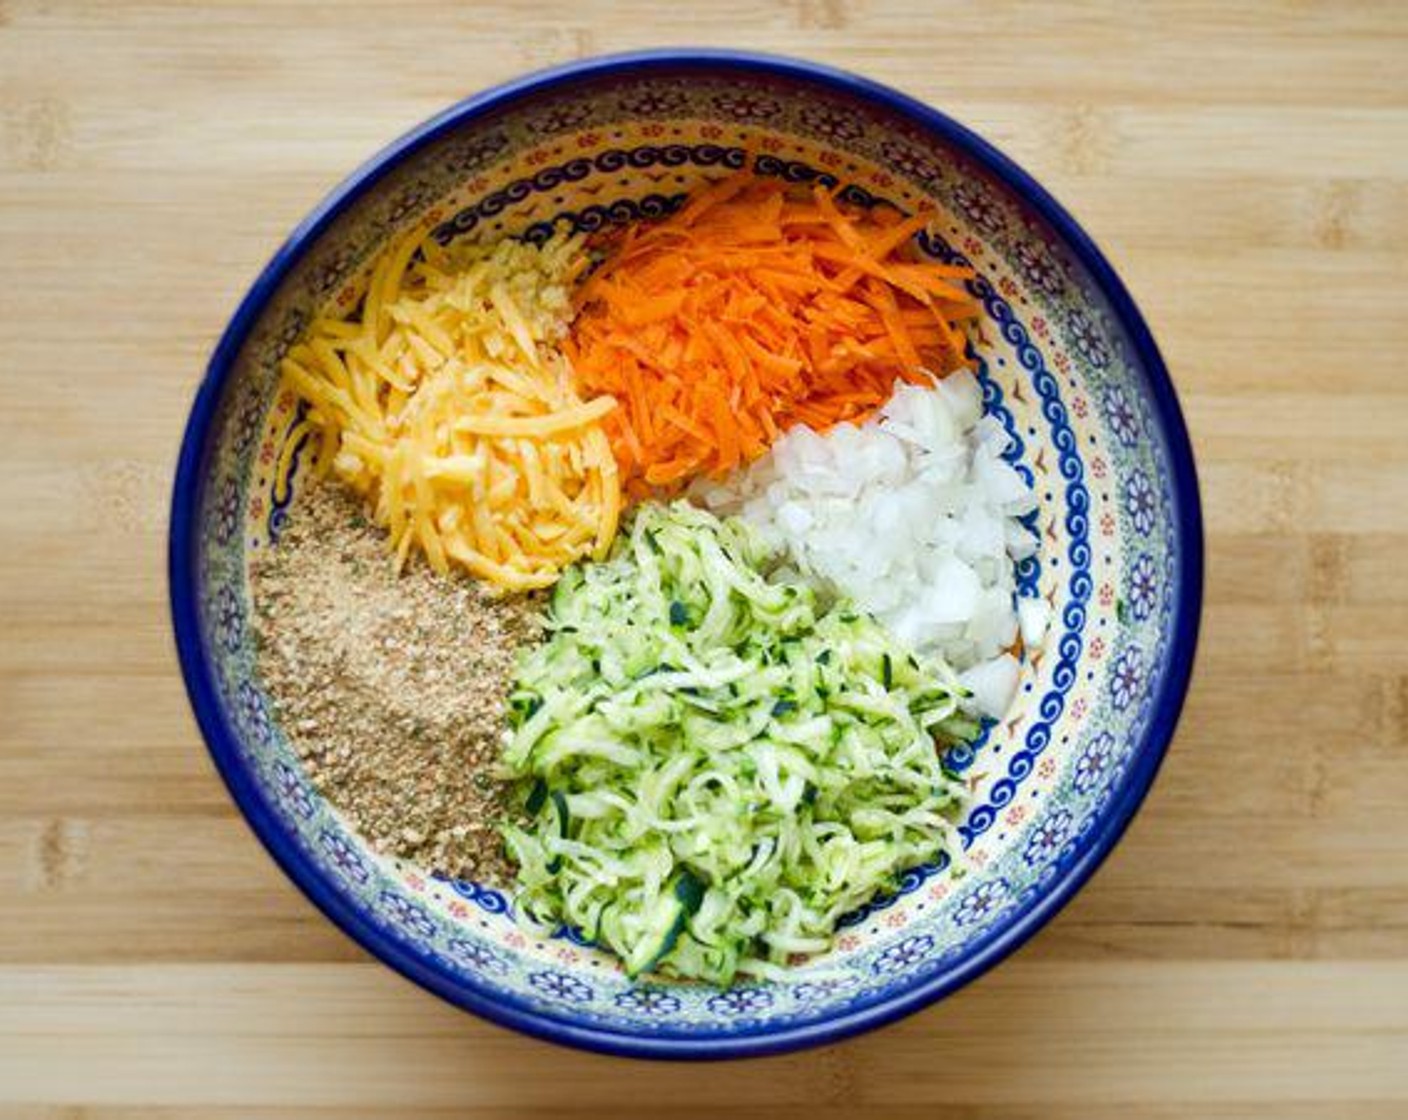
(391,687)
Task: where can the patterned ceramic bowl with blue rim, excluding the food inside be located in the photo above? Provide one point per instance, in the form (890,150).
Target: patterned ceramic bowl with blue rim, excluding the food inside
(1069,368)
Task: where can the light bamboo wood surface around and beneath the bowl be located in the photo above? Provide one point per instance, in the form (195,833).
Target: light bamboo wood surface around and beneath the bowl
(1244,954)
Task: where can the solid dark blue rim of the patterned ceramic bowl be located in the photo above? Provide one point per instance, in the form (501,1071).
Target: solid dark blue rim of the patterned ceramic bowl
(220,736)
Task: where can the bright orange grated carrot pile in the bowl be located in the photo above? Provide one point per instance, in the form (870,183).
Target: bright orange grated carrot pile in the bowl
(751,311)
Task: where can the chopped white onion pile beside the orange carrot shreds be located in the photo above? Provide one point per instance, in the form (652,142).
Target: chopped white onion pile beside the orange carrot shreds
(913,515)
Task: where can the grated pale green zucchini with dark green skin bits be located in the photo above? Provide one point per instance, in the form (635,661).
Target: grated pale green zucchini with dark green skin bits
(715,766)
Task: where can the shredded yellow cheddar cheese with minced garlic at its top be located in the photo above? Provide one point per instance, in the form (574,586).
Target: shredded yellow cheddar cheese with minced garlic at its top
(447,404)
